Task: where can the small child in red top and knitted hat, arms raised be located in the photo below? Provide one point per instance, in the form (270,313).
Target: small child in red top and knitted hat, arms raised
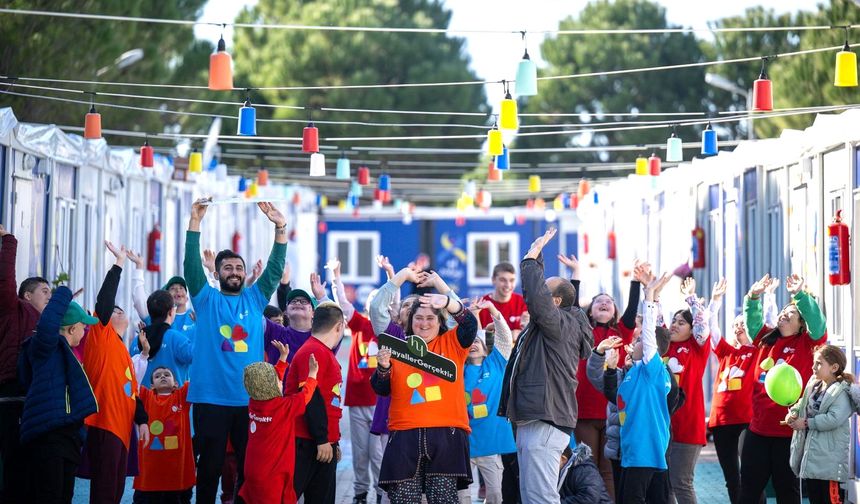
(270,458)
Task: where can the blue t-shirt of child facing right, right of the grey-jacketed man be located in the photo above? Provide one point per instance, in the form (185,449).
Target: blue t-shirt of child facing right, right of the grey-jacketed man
(644,415)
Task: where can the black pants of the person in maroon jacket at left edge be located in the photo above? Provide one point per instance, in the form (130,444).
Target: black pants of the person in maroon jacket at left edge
(14,475)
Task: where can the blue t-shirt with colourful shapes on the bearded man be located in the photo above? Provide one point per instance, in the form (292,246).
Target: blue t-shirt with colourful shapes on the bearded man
(229,337)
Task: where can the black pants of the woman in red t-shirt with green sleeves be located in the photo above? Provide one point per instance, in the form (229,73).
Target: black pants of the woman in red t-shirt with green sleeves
(764,458)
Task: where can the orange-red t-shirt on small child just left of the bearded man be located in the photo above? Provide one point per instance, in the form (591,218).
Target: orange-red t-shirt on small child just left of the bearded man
(167,462)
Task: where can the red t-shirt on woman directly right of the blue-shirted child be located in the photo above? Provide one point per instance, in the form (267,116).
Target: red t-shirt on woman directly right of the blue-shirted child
(687,361)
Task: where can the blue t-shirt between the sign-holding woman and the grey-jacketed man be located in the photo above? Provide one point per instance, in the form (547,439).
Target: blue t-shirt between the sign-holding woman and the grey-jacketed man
(491,434)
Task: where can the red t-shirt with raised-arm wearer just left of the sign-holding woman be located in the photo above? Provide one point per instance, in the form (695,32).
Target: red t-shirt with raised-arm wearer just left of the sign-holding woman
(362,363)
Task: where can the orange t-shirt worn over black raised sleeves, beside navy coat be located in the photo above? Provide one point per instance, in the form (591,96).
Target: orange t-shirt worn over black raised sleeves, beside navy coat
(111,373)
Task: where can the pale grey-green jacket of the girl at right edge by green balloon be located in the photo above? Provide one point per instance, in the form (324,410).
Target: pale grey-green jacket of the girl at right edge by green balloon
(821,451)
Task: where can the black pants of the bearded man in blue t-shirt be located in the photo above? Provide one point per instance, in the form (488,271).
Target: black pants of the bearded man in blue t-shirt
(213,424)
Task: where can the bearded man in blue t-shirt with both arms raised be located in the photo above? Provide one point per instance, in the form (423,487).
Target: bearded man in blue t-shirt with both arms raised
(229,337)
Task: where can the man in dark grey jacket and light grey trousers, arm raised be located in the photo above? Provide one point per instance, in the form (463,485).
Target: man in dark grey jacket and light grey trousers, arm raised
(539,395)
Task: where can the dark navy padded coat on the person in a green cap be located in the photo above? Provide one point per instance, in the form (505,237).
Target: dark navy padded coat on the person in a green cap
(58,391)
